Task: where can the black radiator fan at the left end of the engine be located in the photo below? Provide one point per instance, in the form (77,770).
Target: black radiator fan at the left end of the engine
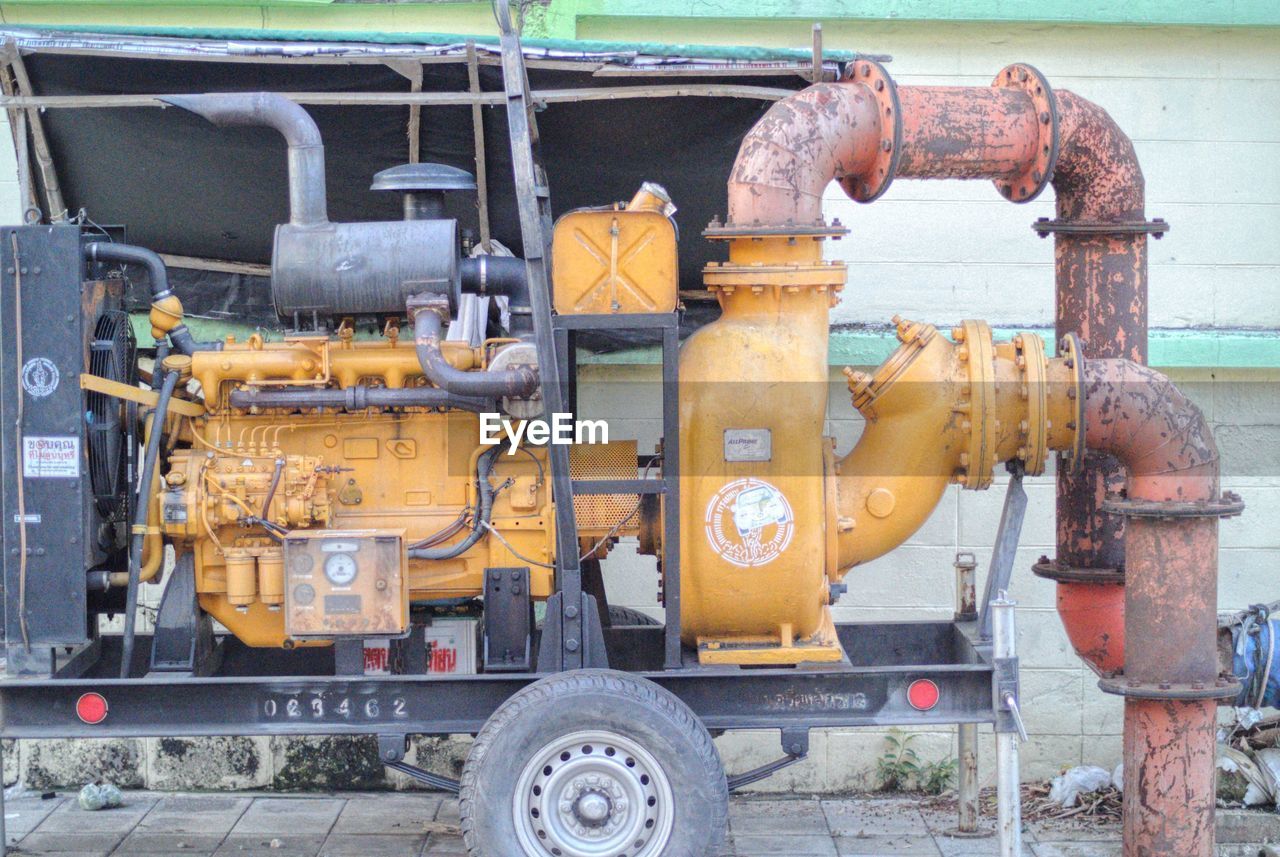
(112,356)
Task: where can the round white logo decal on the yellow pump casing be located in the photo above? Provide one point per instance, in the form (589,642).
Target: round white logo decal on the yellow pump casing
(749,523)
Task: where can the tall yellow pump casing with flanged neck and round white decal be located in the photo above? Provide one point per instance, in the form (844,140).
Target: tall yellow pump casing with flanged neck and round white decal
(753,398)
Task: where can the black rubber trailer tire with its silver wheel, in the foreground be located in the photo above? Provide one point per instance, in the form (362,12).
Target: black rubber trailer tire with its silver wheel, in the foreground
(593,763)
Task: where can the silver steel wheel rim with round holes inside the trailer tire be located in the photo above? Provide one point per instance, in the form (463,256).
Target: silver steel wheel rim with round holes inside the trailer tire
(593,795)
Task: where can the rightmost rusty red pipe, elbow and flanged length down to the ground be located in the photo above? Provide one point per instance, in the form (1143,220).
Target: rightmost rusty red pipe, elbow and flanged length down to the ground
(1171,667)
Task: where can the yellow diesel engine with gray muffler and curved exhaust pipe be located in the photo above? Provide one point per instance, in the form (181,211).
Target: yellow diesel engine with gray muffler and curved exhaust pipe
(327,483)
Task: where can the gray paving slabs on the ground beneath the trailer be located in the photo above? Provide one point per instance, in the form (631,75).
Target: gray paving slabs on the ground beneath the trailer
(427,826)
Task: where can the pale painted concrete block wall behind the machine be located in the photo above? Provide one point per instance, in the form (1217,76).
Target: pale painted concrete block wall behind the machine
(1200,107)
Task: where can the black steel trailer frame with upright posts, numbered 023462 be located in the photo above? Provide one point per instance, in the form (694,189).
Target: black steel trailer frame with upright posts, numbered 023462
(258,693)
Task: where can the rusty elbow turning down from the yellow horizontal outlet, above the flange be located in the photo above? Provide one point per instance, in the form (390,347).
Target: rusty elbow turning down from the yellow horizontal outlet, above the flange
(1140,416)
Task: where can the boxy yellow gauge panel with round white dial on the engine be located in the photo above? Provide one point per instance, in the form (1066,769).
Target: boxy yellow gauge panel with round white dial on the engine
(346,584)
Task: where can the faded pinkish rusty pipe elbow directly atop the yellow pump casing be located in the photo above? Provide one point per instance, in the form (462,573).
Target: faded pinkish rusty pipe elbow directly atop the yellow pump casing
(803,143)
